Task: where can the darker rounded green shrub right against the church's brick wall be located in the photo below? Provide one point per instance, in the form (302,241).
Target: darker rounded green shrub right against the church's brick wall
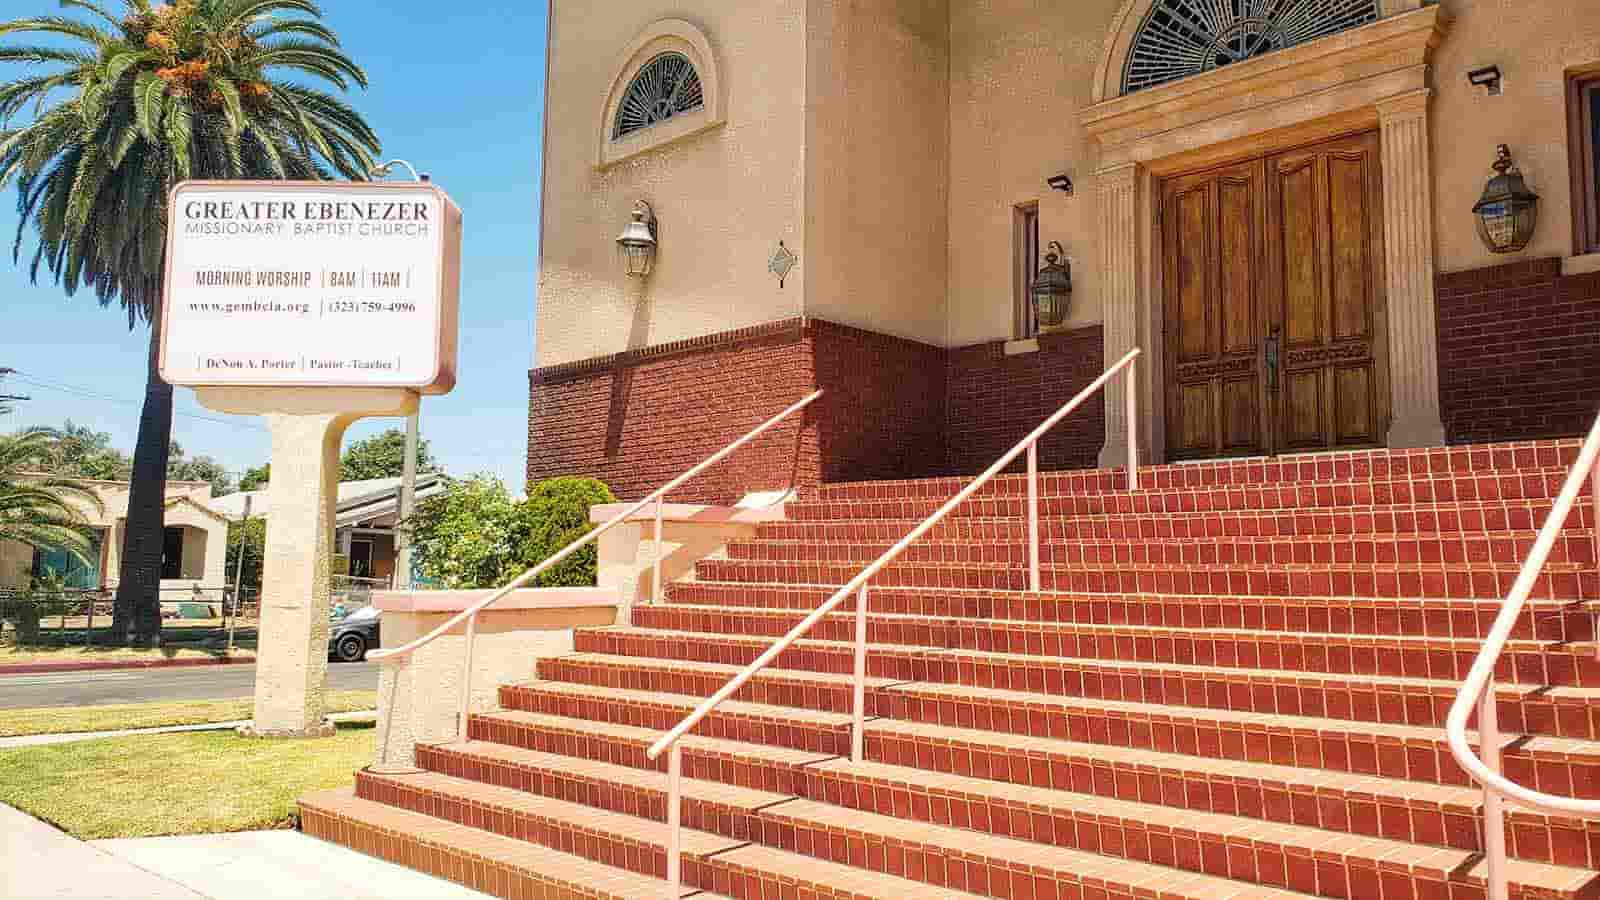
(556,515)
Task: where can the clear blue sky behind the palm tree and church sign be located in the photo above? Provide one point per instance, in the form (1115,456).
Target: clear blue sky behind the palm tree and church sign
(458,90)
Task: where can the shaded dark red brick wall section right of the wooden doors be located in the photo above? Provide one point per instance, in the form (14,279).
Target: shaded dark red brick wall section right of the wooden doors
(1519,353)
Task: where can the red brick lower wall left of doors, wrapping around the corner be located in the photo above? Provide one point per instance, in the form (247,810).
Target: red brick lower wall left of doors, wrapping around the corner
(892,409)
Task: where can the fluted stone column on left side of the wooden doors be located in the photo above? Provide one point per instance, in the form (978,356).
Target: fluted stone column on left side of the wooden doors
(1119,273)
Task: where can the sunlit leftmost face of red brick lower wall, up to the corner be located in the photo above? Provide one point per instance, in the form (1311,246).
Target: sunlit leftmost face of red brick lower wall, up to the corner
(641,419)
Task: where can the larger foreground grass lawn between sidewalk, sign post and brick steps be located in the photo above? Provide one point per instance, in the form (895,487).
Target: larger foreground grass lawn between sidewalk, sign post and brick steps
(185,784)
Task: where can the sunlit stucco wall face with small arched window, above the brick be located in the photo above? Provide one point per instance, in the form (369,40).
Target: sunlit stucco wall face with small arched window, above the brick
(724,198)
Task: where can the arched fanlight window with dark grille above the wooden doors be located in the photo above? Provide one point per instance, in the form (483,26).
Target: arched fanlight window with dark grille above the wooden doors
(1186,38)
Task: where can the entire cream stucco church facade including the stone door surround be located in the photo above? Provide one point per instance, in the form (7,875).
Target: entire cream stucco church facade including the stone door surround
(890,145)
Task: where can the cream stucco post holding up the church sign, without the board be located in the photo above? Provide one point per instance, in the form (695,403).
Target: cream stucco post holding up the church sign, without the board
(308,430)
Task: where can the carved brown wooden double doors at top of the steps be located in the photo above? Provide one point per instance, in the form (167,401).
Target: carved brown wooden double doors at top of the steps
(1274,303)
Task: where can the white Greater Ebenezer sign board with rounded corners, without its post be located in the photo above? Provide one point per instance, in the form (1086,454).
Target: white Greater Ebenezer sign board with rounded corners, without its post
(311,284)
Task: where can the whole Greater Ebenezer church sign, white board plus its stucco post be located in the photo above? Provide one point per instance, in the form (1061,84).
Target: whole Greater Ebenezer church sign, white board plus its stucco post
(311,305)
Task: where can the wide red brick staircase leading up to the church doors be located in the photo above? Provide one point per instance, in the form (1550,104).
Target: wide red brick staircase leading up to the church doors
(1234,686)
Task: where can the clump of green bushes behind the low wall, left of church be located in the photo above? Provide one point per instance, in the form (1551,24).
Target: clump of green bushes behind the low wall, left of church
(476,536)
